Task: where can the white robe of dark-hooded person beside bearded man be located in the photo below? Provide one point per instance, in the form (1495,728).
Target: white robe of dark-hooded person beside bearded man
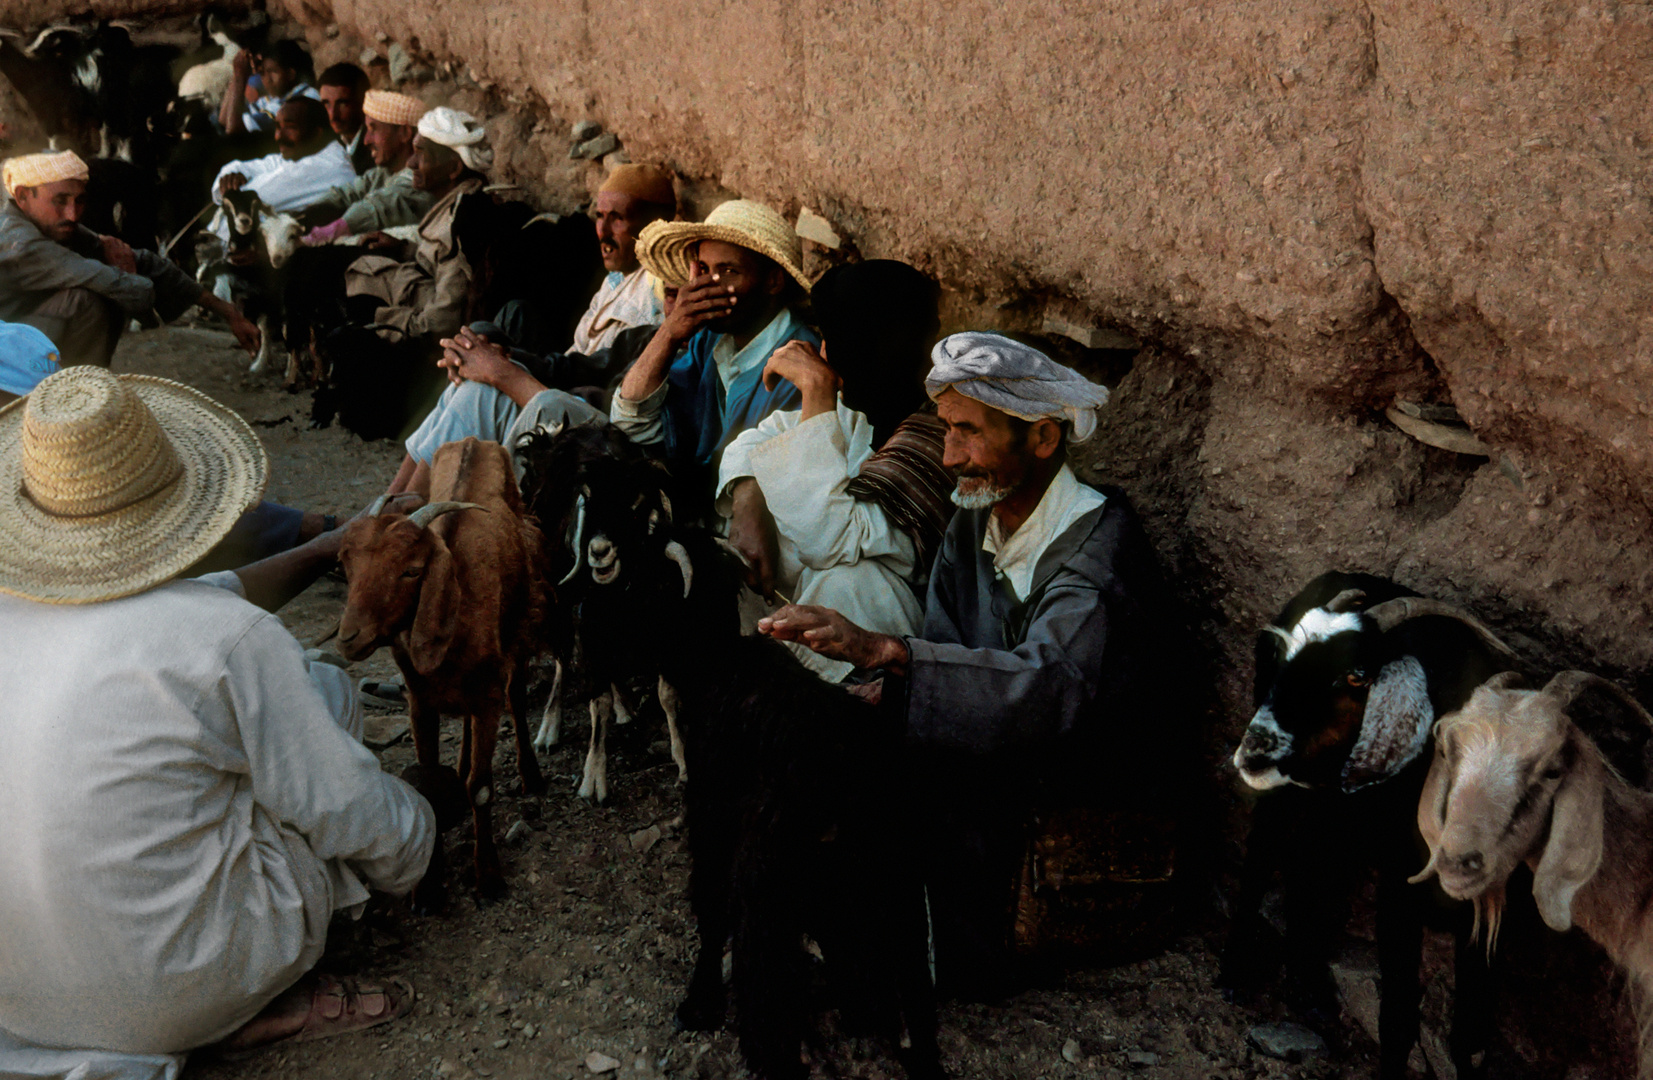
(836,550)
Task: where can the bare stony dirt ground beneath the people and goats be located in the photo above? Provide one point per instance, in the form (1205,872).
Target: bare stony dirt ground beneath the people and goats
(593,947)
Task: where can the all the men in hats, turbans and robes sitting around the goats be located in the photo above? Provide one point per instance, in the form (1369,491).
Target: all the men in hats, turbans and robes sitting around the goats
(186,793)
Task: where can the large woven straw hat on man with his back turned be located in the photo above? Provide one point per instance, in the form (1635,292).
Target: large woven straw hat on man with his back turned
(112,485)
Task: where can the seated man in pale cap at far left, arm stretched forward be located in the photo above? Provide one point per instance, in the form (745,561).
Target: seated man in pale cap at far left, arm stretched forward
(77,287)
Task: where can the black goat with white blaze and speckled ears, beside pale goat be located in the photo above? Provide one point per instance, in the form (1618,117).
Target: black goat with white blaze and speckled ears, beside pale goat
(1350,682)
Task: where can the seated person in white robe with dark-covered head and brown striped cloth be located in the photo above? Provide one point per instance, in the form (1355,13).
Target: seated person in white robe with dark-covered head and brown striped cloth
(801,512)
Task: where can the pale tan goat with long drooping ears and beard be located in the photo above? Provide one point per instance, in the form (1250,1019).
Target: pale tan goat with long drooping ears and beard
(1518,780)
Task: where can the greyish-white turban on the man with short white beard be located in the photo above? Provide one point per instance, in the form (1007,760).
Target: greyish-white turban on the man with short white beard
(1017,380)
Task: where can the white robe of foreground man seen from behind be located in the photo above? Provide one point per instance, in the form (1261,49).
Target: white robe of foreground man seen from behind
(184,811)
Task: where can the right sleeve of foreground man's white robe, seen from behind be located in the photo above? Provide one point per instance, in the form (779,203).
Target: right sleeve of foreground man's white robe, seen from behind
(308,773)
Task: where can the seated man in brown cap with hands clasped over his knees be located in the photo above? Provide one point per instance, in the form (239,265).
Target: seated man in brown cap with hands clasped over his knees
(490,386)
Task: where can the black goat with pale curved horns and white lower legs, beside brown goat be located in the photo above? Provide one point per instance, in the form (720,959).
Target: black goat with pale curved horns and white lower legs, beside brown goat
(564,477)
